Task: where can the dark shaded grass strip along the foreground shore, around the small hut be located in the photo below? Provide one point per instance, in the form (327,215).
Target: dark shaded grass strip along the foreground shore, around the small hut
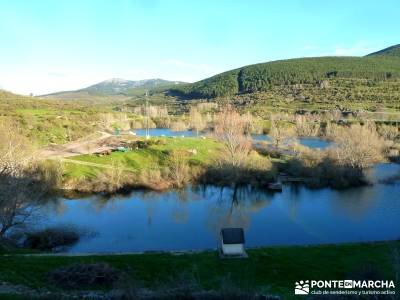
(268,270)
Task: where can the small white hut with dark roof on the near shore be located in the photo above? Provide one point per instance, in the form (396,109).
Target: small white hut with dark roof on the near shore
(232,242)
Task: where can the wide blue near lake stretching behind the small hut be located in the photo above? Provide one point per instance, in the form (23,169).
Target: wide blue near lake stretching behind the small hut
(191,218)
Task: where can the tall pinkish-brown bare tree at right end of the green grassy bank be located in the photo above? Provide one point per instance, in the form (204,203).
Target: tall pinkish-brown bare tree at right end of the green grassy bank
(229,129)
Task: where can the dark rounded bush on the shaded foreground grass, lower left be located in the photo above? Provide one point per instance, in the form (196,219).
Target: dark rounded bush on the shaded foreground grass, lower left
(84,276)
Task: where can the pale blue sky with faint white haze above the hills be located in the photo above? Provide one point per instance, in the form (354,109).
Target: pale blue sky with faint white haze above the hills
(48,45)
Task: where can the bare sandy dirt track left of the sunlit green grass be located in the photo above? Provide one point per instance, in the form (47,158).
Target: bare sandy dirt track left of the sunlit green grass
(86,145)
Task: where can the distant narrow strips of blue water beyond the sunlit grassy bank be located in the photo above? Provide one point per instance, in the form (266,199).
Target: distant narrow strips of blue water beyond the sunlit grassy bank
(305,141)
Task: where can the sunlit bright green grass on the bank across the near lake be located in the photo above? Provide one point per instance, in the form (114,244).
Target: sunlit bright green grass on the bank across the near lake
(154,156)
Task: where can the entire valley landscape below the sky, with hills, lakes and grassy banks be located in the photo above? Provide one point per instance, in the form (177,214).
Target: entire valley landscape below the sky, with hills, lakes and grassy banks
(302,153)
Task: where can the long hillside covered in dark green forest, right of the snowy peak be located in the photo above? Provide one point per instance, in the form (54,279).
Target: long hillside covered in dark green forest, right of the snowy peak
(263,77)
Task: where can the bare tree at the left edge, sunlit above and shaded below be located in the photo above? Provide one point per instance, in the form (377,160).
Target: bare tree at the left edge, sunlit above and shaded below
(23,182)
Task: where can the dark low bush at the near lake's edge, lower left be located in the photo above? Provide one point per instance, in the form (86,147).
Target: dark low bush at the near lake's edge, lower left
(51,238)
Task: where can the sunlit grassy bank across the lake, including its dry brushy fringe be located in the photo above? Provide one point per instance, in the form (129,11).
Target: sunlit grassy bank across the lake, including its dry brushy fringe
(158,164)
